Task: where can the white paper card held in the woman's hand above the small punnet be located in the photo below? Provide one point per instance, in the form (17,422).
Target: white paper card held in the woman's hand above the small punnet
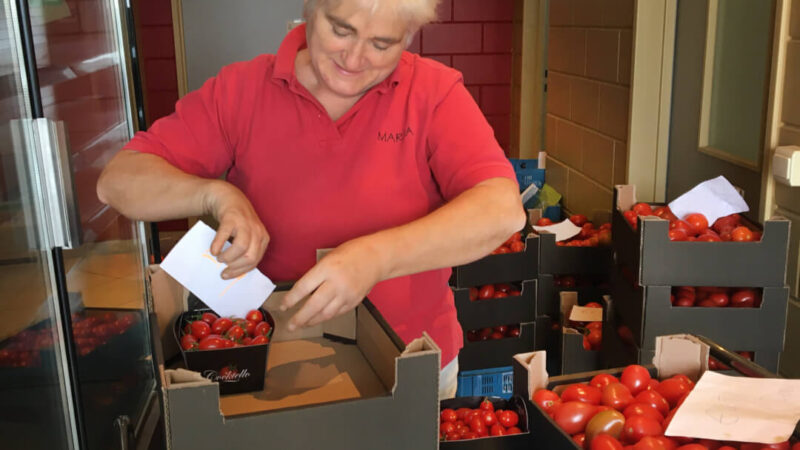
(190,262)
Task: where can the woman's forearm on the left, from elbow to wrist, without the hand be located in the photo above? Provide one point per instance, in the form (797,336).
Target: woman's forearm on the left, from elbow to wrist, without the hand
(146,187)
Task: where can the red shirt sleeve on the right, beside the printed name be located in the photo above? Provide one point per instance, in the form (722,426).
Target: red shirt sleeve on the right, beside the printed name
(461,144)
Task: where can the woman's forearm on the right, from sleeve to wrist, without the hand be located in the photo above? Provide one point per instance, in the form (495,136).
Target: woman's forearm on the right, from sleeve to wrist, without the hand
(465,229)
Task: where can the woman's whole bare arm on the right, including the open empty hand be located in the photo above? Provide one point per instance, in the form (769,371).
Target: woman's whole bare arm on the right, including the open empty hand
(465,229)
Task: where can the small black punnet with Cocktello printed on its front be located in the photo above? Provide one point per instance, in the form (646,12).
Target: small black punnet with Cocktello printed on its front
(236,369)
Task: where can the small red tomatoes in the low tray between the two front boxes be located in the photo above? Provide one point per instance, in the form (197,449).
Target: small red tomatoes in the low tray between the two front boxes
(467,423)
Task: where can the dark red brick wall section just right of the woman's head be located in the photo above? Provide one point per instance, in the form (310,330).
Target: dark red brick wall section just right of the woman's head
(475,37)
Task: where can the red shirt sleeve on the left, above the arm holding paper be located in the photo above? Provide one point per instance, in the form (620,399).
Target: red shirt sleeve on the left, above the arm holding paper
(196,137)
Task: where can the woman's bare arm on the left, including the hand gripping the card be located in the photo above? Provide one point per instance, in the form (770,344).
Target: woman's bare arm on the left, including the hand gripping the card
(146,187)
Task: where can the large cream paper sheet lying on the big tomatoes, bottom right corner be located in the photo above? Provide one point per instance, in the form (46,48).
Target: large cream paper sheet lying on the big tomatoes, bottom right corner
(729,408)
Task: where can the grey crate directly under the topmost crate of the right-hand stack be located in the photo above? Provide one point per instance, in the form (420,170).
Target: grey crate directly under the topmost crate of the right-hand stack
(648,312)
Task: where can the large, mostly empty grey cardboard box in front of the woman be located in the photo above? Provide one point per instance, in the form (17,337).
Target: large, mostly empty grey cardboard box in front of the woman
(319,393)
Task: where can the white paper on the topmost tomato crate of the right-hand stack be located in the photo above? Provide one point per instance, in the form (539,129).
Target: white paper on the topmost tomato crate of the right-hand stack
(713,198)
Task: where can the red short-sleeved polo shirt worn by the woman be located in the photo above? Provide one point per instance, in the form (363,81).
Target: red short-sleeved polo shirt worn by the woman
(411,143)
